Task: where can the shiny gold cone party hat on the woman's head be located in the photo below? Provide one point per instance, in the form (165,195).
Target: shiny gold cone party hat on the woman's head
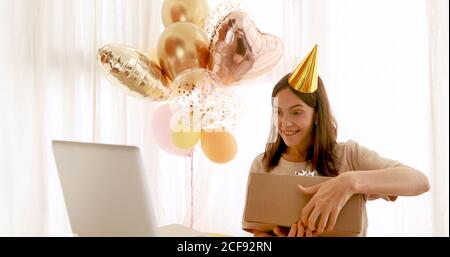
(304,77)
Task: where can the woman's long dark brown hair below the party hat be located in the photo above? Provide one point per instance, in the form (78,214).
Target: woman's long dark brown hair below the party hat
(324,132)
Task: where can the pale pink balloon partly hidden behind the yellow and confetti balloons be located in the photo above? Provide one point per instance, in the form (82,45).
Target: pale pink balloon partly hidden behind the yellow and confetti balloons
(162,134)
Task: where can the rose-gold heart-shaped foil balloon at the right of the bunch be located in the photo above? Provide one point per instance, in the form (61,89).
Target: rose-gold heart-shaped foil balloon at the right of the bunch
(238,51)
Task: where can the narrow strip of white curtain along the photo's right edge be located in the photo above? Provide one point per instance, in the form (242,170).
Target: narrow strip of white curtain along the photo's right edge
(439,83)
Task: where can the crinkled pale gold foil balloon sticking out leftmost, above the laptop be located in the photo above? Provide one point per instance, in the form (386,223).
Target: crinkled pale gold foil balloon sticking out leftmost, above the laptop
(134,72)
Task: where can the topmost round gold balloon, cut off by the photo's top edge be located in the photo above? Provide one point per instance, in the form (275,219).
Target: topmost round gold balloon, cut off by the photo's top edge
(194,11)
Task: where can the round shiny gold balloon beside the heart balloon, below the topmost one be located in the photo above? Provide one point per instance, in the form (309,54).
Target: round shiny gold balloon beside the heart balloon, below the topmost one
(182,46)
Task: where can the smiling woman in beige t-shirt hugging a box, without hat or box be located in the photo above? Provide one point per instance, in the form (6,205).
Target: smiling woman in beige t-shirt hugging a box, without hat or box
(306,139)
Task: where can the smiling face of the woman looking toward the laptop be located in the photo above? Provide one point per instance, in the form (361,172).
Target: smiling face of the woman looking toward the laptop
(295,121)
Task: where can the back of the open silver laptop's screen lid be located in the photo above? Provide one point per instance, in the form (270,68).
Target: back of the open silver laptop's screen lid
(105,189)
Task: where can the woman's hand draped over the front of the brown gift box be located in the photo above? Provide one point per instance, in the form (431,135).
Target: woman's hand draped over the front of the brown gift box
(327,201)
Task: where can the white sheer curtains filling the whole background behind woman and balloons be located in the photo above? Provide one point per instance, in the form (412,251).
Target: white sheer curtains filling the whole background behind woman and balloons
(384,63)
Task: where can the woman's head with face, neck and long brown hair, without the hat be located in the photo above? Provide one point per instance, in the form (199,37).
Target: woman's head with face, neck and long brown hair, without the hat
(306,128)
